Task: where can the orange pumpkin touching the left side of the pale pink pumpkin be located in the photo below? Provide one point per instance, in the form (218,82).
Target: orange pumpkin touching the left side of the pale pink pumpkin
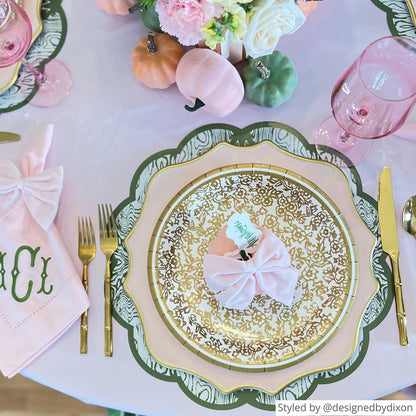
(154,60)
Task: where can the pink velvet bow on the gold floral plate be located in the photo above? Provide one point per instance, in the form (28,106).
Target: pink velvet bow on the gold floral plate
(235,282)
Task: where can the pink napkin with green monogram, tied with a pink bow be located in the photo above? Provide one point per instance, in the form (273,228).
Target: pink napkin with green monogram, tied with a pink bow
(41,294)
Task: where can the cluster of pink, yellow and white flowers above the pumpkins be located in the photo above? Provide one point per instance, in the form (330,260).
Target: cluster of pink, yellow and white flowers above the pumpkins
(256,24)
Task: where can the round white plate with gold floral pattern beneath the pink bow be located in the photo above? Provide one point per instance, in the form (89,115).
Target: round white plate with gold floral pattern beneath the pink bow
(267,335)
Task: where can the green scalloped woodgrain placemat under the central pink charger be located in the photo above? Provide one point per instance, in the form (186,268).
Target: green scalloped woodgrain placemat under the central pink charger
(195,144)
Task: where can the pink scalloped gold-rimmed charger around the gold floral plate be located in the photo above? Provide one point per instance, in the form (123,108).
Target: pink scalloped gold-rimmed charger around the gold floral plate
(169,349)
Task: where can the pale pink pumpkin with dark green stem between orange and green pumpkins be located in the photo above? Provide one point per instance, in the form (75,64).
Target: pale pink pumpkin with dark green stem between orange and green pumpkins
(208,79)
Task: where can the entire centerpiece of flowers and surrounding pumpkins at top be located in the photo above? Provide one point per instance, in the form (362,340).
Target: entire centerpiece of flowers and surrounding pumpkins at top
(239,31)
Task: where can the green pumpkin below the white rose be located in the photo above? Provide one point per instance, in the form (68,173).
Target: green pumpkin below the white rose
(269,80)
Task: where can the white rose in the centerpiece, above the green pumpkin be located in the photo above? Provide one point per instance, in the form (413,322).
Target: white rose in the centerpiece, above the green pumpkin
(269,20)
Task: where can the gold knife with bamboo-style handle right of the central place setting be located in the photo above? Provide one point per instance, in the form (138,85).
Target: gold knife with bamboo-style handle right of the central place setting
(390,245)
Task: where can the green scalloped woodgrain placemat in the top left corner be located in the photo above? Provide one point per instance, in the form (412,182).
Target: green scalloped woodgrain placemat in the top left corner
(46,46)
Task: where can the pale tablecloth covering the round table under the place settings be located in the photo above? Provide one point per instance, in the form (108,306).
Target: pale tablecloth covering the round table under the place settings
(111,123)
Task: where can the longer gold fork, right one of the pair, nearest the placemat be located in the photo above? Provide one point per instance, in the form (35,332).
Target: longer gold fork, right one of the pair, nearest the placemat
(108,243)
